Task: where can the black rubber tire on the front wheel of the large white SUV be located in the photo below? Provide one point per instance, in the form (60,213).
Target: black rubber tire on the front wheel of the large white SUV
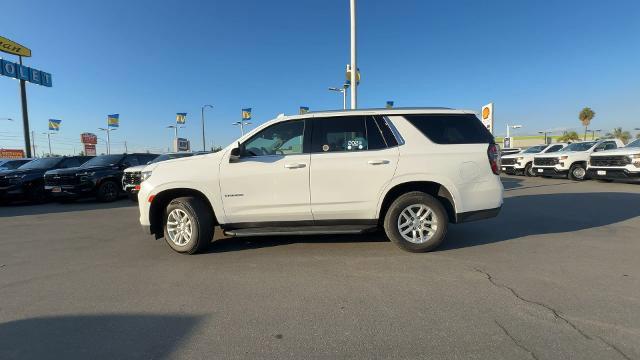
(202,224)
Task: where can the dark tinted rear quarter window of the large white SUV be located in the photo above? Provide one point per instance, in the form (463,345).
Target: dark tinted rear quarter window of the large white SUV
(451,128)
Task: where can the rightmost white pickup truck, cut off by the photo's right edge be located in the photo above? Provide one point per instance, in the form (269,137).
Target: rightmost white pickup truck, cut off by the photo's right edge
(618,164)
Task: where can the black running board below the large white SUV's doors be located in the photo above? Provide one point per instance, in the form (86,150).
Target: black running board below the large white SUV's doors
(301,230)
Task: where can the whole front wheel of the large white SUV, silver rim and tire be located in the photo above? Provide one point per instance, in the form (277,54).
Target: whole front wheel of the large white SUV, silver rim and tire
(188,225)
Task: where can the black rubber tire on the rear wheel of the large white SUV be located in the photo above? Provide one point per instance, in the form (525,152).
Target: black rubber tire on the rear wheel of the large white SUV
(391,226)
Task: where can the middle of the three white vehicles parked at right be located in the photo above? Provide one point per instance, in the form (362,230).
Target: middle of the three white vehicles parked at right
(571,162)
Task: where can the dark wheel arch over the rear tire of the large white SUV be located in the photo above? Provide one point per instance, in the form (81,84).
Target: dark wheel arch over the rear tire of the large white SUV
(432,188)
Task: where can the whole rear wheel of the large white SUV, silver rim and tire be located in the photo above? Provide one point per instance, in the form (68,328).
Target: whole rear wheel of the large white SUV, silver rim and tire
(416,222)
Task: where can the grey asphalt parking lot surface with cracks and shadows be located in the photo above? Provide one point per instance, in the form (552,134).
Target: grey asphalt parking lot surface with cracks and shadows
(555,275)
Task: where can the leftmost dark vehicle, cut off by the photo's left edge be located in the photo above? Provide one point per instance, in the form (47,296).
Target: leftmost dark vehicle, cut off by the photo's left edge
(26,182)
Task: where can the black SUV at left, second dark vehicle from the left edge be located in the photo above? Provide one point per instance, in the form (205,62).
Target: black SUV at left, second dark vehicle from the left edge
(99,177)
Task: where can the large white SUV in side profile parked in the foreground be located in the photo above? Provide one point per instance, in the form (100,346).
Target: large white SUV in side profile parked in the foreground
(409,171)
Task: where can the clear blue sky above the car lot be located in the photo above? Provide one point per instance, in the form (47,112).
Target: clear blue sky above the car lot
(540,62)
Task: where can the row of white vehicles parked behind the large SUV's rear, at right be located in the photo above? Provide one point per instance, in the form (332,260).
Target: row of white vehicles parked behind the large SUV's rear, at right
(606,159)
